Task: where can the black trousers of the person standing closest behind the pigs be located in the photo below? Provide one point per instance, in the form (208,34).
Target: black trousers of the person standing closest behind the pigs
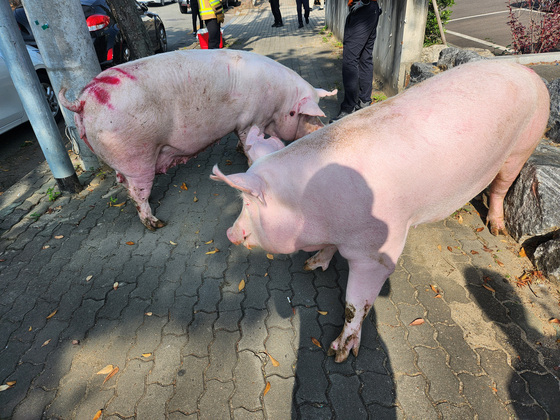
(360,32)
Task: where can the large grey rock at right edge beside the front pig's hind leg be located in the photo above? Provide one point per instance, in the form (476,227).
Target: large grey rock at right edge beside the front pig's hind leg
(531,205)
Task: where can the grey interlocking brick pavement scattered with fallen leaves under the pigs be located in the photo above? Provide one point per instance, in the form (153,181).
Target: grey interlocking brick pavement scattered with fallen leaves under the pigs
(189,344)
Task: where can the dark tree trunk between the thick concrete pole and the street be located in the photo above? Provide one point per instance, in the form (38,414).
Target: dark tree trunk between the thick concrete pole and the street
(135,33)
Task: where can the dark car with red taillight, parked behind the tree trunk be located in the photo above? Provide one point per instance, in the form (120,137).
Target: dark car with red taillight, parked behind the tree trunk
(108,40)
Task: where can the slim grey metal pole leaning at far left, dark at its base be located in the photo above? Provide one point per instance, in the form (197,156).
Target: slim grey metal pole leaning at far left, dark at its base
(34,101)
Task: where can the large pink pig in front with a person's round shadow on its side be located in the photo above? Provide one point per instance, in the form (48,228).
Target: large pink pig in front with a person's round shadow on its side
(359,184)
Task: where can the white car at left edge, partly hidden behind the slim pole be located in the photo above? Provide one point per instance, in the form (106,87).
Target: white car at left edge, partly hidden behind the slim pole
(12,113)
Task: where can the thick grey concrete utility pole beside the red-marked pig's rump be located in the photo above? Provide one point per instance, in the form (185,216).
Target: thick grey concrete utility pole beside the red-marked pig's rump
(62,36)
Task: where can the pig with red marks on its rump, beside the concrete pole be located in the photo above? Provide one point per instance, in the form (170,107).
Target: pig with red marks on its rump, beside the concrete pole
(148,115)
